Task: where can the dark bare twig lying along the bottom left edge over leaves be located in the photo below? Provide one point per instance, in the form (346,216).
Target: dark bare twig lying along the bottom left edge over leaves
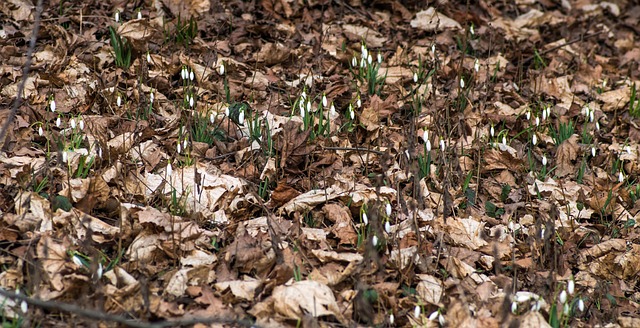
(103,316)
